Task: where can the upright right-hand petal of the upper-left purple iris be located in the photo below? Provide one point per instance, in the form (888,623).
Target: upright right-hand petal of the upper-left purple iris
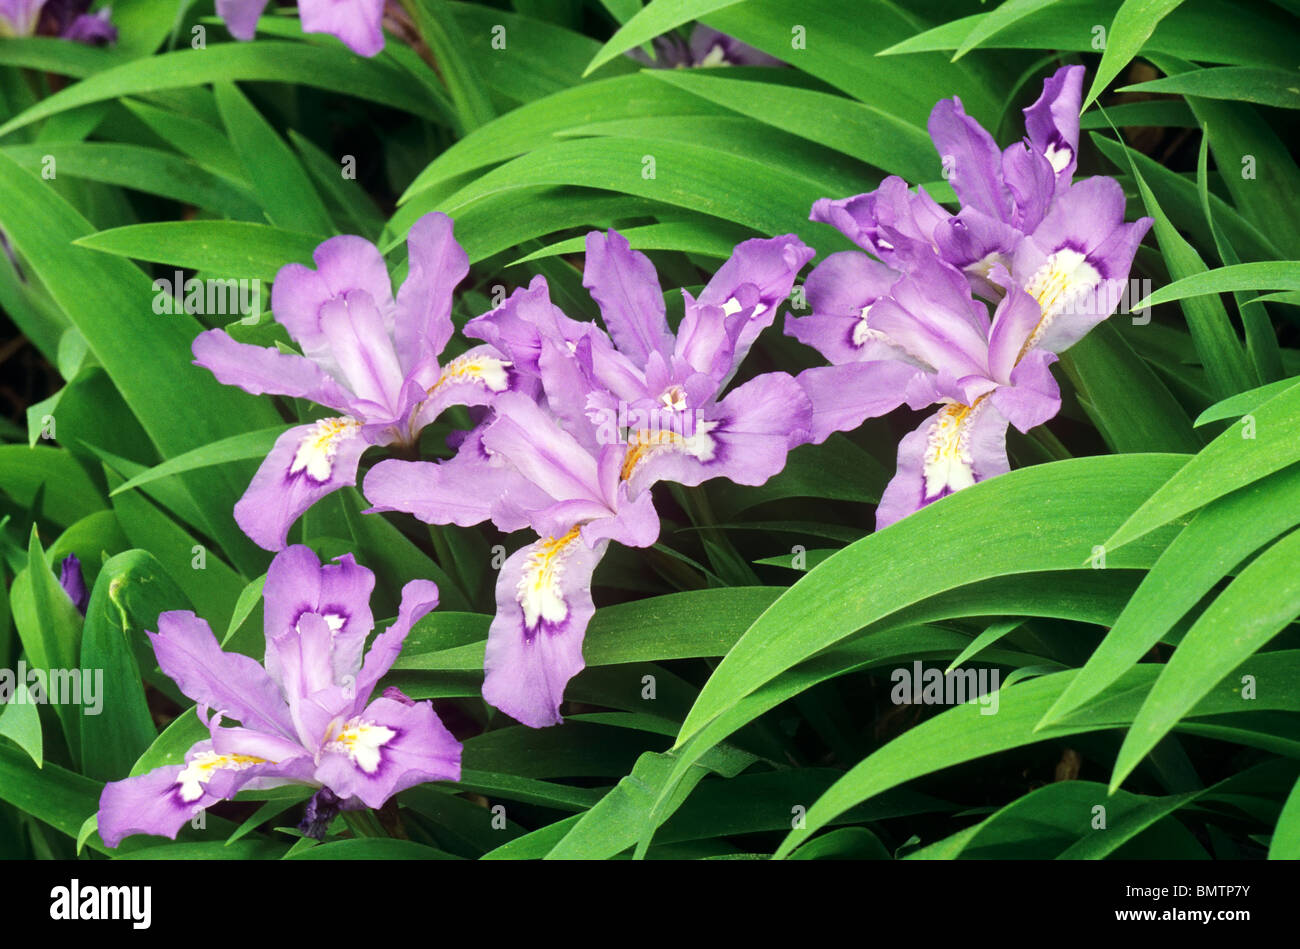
(423,318)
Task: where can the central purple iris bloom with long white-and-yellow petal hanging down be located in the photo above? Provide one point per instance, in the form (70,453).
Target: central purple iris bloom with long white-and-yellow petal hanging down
(612,415)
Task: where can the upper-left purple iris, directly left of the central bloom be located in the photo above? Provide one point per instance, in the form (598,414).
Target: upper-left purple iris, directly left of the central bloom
(366,356)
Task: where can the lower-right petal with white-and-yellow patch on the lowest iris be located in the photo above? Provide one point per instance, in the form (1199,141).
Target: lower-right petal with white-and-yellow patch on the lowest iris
(385,749)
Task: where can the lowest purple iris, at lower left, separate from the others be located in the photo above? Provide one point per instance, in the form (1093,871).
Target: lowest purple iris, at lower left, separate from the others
(306,717)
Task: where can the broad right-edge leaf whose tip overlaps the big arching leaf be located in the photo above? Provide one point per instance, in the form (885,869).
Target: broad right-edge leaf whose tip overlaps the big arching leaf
(1233,461)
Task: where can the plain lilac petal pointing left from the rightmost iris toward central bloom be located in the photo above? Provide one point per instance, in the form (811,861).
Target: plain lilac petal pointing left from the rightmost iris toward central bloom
(846,396)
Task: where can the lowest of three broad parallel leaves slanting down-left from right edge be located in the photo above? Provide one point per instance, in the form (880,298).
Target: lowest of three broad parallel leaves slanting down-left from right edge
(1255,608)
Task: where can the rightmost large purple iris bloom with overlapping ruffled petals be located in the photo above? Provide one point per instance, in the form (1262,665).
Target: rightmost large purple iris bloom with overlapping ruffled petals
(1051,254)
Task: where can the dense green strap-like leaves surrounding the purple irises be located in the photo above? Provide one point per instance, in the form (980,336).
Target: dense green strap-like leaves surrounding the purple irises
(1136,580)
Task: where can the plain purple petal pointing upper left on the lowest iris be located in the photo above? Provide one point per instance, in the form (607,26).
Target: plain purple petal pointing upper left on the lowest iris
(229,683)
